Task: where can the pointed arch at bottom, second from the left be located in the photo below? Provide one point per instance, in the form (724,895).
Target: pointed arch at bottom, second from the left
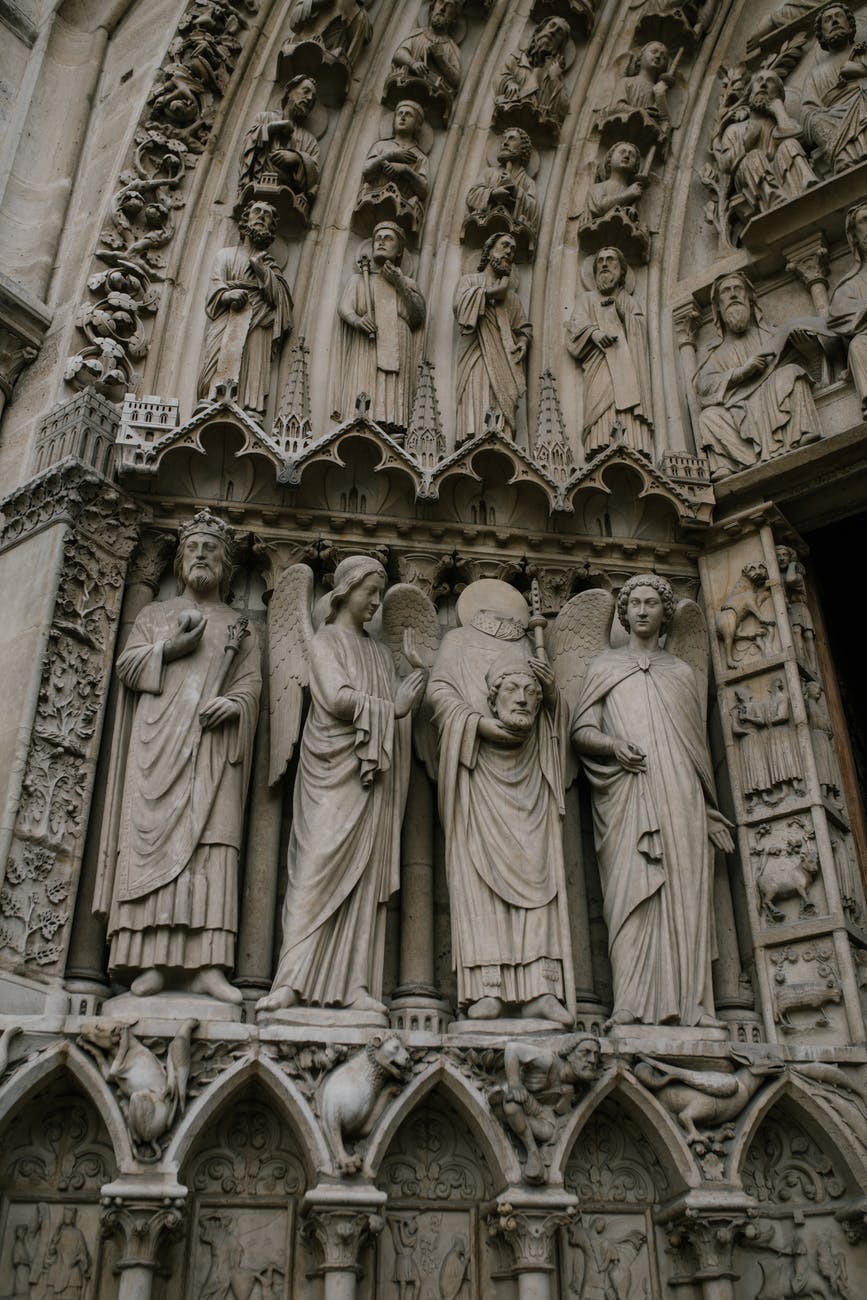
(232,1084)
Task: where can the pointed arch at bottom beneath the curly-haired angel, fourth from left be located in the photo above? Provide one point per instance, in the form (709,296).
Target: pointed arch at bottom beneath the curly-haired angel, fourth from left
(657,1126)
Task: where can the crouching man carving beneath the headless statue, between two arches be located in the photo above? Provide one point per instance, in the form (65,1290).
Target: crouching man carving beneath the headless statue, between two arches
(540,1090)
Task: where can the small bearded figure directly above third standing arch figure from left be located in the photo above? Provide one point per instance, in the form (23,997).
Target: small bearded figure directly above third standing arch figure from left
(504,200)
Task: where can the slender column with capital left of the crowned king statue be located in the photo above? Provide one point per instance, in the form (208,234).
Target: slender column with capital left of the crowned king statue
(86,964)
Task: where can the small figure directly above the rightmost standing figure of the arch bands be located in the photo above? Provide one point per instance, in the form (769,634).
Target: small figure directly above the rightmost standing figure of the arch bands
(612,213)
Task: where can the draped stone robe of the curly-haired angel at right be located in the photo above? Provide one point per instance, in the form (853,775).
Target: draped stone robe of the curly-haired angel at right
(656,859)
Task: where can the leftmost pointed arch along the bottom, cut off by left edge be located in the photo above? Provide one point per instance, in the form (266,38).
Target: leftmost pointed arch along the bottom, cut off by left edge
(57,1064)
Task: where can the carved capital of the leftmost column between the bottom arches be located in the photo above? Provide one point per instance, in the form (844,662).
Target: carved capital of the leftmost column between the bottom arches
(145,1225)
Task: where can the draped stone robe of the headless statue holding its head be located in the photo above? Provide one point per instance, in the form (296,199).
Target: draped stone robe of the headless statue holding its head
(501,811)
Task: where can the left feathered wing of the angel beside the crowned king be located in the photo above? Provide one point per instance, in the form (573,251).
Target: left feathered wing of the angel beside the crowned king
(291,631)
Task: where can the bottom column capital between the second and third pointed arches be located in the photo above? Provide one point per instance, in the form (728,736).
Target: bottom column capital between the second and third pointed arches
(339,1224)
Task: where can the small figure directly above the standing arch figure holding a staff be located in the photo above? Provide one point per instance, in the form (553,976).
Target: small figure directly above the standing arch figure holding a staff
(396,176)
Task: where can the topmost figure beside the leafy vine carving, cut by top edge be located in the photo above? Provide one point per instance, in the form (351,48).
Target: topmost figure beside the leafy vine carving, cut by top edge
(328,37)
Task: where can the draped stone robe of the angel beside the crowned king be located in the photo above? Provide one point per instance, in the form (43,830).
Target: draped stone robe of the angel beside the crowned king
(345,844)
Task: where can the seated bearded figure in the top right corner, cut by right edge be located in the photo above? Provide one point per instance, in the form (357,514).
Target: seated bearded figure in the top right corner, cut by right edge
(835,96)
